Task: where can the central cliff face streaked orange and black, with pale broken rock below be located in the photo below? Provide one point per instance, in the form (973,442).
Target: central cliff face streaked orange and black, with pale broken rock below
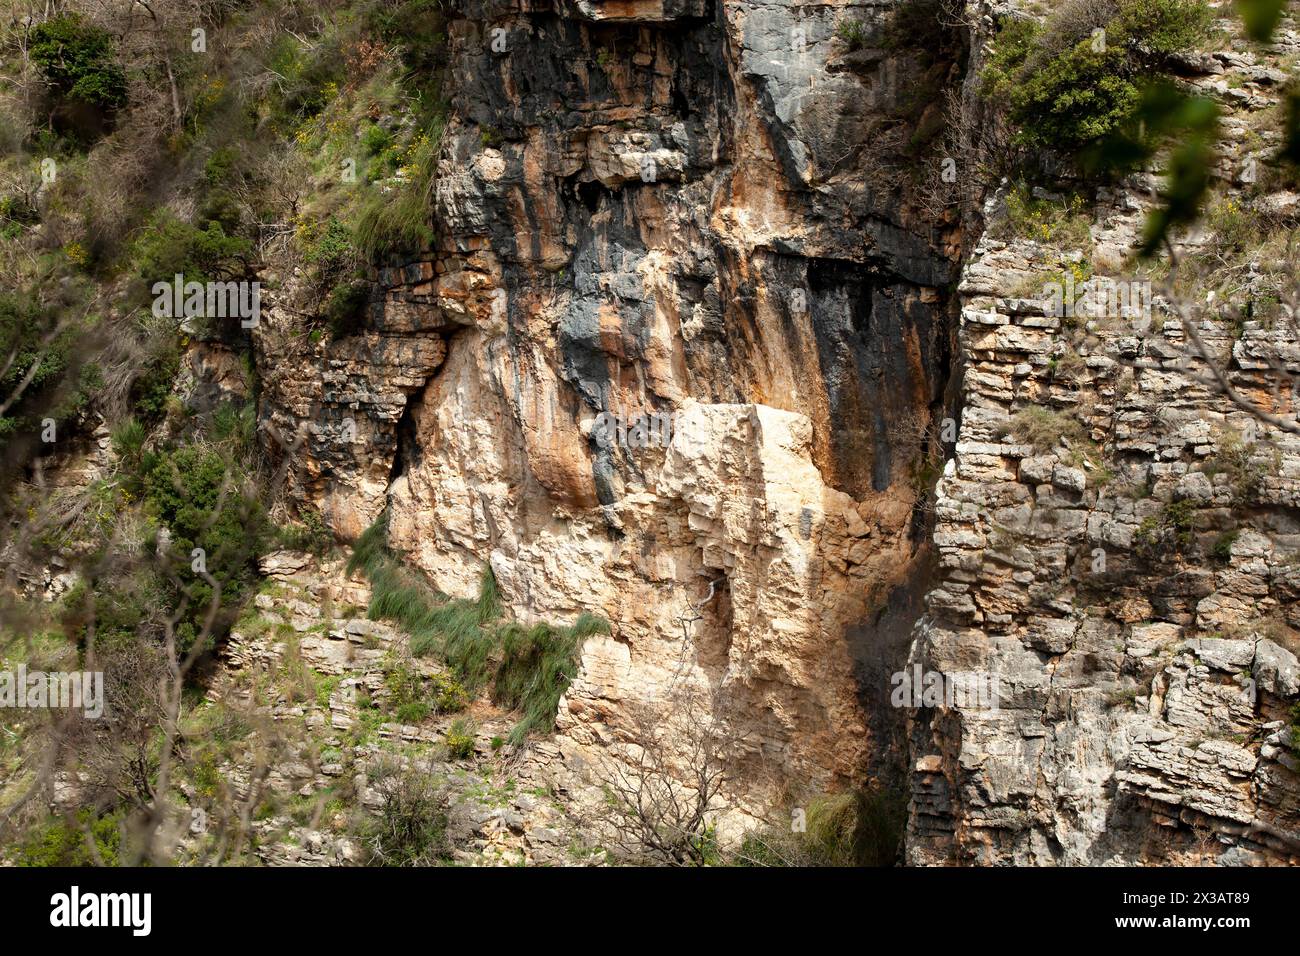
(697,217)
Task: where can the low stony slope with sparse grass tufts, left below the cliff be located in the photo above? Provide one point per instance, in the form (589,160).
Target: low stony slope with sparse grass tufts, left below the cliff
(307,661)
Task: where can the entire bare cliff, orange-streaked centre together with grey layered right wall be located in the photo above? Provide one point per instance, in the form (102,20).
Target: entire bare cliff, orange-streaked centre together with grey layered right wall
(679,358)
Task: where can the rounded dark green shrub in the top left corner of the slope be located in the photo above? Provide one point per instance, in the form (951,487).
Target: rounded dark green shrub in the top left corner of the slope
(77,62)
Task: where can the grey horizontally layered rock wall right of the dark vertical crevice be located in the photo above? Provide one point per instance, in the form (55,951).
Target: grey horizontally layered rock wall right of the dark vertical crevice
(1129,583)
